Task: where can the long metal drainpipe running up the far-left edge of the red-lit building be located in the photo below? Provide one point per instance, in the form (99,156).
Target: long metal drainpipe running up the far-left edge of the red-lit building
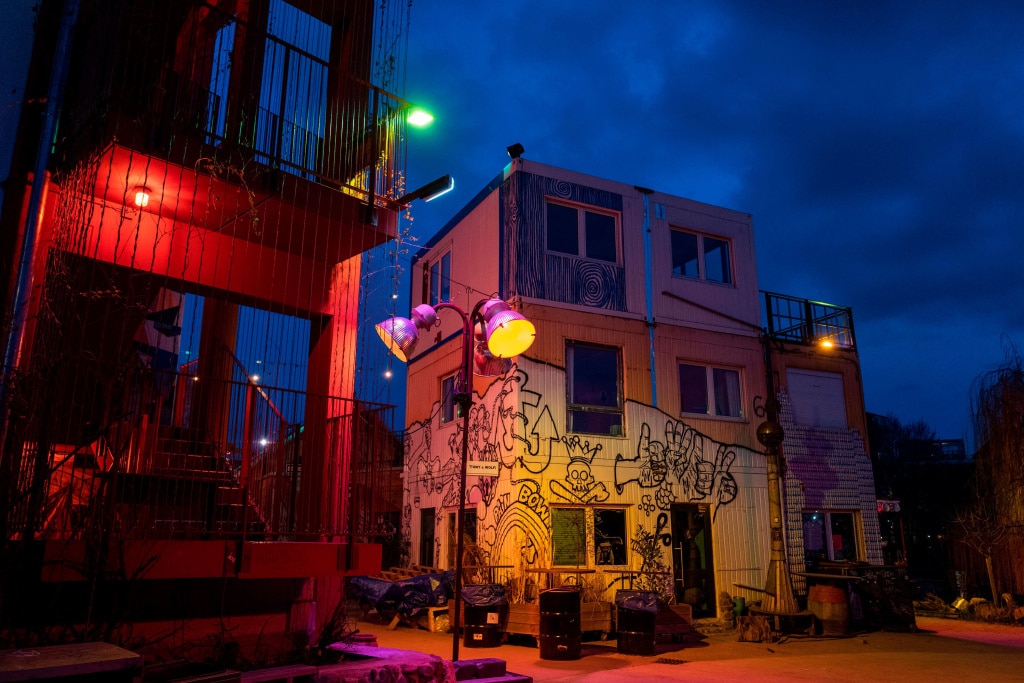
(55,99)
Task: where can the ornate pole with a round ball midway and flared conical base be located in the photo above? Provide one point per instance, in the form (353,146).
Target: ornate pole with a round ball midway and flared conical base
(779,585)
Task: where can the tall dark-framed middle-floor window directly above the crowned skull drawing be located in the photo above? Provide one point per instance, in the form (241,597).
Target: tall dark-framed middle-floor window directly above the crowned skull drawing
(594,397)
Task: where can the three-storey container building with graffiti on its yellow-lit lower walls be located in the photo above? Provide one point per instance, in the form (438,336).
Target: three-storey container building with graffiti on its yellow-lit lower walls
(631,423)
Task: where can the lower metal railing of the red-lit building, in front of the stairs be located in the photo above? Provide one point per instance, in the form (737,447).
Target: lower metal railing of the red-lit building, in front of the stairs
(170,469)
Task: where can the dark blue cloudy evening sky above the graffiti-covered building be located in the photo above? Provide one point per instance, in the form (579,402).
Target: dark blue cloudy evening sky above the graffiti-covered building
(879,146)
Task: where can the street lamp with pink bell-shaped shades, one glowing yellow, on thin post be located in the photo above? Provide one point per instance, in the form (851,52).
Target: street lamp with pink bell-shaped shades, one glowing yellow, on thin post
(504,334)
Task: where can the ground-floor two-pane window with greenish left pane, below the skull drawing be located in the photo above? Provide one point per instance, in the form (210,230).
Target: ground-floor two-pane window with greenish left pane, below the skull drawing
(570,542)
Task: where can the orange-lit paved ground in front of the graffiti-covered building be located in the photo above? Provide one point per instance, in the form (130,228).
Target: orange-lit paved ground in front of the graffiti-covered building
(941,651)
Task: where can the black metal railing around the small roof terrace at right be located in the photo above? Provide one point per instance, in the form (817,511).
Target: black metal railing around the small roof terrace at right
(805,322)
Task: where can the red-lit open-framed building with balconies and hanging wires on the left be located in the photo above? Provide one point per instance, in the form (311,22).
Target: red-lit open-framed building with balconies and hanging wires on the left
(197,176)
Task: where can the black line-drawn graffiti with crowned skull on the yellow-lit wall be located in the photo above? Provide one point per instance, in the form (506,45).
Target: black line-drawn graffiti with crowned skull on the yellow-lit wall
(523,431)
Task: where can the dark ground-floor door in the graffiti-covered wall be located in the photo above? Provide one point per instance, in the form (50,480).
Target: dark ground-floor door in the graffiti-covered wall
(693,566)
